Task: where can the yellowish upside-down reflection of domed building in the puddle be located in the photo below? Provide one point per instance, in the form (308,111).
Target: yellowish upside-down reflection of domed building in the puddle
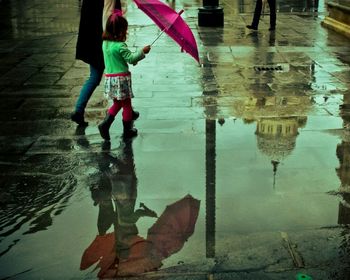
(278,120)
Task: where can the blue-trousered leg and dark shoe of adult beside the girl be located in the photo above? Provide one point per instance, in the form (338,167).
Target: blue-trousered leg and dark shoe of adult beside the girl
(88,88)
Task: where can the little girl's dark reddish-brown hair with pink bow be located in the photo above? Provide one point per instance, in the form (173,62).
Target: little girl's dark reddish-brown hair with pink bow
(116,27)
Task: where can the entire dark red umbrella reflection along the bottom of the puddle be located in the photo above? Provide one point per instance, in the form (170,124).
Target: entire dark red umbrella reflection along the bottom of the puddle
(166,237)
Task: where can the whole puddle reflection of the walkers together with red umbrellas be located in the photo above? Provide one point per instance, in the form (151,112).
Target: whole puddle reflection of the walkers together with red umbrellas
(124,252)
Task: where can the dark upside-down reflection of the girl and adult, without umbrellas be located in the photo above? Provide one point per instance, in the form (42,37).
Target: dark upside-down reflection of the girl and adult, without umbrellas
(119,185)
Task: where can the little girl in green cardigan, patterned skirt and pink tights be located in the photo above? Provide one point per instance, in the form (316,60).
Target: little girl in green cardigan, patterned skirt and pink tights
(117,76)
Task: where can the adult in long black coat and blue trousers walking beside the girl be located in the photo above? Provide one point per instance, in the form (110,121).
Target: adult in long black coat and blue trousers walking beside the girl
(89,49)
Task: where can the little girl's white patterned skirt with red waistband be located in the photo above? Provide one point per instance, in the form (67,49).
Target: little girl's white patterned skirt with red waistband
(118,86)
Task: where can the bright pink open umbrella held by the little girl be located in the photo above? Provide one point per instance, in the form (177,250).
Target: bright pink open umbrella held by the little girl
(170,22)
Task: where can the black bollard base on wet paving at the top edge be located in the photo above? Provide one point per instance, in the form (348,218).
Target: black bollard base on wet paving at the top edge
(211,15)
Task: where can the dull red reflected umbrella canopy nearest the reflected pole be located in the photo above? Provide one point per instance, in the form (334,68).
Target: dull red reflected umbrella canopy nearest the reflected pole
(174,226)
